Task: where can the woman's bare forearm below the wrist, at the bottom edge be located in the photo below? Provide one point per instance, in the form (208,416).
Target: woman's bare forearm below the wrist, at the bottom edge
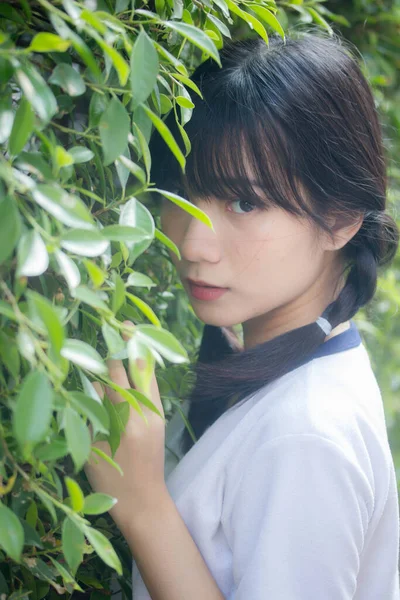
(166,555)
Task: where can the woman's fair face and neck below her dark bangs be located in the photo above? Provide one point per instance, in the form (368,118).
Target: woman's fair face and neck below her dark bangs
(278,272)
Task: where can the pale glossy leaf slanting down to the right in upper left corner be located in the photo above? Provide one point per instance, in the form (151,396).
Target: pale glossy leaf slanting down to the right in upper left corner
(37,92)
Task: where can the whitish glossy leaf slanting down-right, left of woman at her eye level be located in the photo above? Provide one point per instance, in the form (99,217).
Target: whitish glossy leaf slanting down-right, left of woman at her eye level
(67,208)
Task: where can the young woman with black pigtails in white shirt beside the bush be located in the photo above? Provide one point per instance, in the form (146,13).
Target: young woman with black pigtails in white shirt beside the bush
(289,492)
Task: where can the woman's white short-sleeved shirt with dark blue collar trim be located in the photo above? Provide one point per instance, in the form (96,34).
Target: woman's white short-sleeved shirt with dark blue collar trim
(291,494)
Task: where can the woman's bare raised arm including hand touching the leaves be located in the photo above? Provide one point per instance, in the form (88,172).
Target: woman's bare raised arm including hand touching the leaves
(166,555)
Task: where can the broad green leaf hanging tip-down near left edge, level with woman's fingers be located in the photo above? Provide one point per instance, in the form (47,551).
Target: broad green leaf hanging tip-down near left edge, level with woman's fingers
(33,409)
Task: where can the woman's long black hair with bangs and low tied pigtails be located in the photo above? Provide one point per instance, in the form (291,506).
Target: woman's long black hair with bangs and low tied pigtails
(305,114)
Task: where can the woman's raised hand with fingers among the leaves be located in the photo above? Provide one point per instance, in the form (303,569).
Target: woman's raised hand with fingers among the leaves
(140,454)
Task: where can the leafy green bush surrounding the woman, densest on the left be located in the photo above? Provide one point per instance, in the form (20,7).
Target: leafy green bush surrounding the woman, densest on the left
(82,87)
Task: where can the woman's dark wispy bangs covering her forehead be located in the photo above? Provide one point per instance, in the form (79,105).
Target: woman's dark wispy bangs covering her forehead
(234,149)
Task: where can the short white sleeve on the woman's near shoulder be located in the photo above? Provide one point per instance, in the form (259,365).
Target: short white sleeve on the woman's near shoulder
(295,520)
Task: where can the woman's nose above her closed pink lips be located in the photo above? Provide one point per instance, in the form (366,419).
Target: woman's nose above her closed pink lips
(200,243)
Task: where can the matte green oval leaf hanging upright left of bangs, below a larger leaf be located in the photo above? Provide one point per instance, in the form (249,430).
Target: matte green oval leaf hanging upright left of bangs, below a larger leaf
(114,127)
